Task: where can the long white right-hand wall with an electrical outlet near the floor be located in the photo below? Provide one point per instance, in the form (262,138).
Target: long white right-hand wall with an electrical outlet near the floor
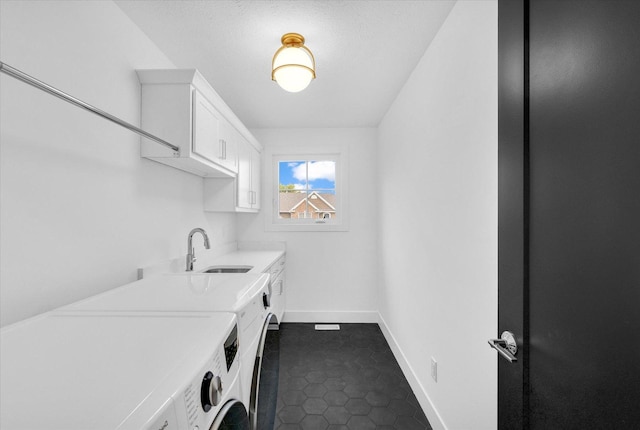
(437,163)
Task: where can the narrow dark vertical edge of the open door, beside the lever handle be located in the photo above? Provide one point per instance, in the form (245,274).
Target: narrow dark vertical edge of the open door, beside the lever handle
(512,210)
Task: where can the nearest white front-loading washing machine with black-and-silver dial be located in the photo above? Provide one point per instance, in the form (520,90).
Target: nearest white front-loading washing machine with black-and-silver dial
(106,371)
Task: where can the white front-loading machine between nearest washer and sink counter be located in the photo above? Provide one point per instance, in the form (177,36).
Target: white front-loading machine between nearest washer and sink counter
(247,295)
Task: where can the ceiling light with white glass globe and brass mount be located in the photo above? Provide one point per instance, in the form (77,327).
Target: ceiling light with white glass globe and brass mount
(293,65)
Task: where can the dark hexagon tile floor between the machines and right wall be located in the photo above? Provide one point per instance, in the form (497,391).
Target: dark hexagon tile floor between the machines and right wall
(342,380)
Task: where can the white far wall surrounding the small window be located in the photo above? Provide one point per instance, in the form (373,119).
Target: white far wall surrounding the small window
(330,275)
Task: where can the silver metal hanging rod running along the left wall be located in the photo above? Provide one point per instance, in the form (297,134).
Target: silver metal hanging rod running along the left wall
(15,73)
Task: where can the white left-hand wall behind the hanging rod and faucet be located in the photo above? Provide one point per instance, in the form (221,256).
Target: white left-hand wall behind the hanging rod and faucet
(80,209)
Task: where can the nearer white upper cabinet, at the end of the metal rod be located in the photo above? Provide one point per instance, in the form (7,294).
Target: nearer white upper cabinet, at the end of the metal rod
(182,108)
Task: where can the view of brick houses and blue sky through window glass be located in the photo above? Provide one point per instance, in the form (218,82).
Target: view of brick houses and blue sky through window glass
(307,189)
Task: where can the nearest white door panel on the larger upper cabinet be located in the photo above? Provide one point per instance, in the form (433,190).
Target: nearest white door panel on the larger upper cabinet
(206,122)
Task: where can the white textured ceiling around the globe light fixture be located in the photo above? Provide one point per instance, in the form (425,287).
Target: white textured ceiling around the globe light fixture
(364,50)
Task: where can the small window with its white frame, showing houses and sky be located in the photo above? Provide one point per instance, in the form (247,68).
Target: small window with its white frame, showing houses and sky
(308,191)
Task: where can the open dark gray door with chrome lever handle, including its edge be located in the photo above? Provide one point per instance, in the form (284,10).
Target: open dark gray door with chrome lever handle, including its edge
(569,246)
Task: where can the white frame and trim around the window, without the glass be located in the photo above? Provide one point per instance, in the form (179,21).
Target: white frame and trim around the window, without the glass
(275,154)
